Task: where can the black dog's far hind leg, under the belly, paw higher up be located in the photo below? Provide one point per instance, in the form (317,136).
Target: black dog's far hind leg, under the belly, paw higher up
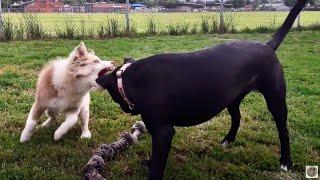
(234,111)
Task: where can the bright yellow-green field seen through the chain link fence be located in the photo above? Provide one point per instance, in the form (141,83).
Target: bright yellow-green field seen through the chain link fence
(53,22)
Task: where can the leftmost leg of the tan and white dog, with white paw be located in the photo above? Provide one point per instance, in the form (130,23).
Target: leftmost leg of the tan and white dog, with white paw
(31,123)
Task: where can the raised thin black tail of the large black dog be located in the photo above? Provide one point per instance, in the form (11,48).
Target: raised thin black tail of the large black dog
(285,28)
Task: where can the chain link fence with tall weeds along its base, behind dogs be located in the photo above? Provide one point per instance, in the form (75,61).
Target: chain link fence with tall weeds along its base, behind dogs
(37,19)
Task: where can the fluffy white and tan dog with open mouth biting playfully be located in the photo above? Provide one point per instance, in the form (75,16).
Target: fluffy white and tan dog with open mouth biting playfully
(63,87)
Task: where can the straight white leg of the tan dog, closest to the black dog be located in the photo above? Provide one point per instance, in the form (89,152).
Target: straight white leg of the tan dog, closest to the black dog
(84,115)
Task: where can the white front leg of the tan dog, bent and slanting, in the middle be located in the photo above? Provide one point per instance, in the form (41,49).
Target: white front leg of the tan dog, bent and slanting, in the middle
(71,120)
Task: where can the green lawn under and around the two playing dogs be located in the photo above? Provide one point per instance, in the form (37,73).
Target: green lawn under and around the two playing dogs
(196,152)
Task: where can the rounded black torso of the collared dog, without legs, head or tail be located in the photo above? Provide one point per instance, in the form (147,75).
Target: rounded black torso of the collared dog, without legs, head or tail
(216,75)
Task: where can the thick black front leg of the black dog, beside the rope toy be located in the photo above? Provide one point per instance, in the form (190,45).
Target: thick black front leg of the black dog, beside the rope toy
(161,143)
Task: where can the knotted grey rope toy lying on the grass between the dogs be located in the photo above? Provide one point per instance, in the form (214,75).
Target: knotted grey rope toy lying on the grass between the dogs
(106,152)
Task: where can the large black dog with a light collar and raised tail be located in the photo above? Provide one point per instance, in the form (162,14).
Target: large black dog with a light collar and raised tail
(186,89)
